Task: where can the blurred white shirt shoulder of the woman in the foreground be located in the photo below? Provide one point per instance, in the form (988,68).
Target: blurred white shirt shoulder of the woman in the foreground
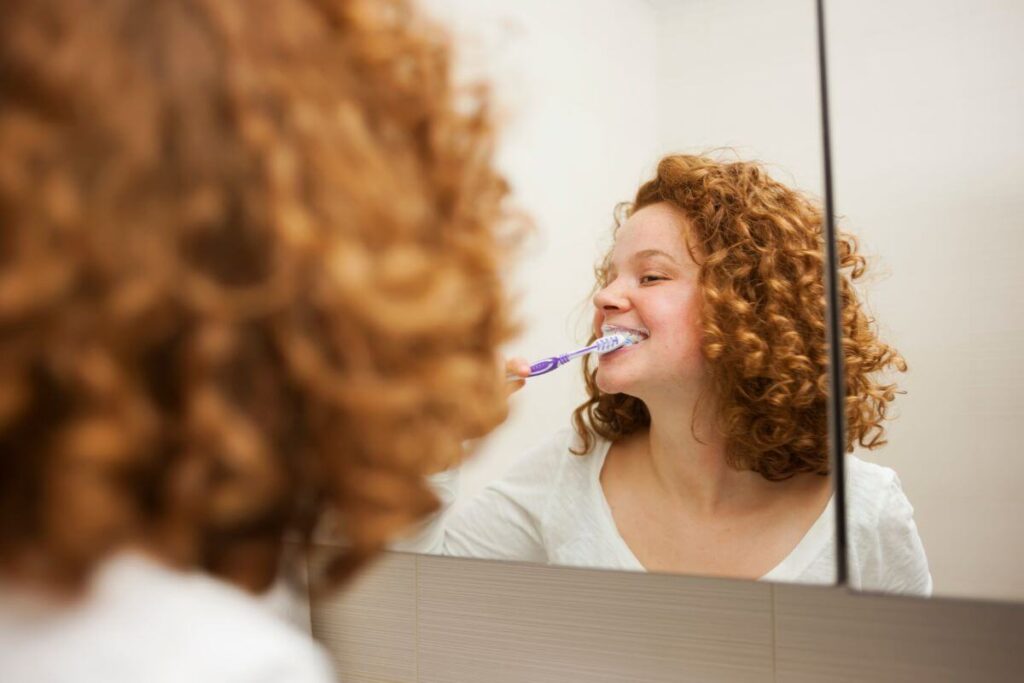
(142,621)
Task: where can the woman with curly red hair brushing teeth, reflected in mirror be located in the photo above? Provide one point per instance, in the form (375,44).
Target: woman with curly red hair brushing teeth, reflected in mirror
(703,449)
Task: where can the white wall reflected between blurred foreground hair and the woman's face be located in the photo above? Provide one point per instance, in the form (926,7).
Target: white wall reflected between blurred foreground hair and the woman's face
(579,101)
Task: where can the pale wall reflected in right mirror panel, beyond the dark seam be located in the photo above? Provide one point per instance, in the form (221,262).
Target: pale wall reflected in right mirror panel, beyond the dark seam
(928,166)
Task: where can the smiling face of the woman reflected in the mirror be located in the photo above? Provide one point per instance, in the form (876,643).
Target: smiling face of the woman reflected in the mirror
(652,289)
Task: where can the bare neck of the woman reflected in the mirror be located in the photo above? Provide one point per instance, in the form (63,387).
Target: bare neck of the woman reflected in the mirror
(688,459)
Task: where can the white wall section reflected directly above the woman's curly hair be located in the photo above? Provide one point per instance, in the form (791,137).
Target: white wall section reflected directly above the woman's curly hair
(743,75)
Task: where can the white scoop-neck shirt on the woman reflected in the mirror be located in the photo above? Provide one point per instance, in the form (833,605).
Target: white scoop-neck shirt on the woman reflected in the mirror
(550,507)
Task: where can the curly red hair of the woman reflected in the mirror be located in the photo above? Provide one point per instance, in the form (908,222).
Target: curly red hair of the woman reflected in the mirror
(759,246)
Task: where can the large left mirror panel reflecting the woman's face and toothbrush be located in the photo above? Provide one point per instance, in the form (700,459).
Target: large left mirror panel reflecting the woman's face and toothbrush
(592,96)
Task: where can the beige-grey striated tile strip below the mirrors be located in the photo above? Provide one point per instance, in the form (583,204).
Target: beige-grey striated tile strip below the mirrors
(421,619)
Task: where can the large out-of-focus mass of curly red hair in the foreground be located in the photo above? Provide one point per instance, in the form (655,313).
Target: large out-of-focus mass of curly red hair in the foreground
(249,279)
